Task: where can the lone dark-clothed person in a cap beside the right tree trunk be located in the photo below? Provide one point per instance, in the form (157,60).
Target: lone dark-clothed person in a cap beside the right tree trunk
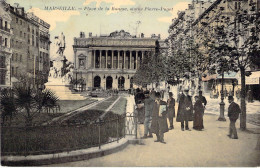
(233,114)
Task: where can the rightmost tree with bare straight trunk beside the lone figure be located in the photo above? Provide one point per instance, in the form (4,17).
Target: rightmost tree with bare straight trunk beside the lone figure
(239,35)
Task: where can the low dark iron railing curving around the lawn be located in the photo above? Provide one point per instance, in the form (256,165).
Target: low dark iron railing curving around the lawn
(59,138)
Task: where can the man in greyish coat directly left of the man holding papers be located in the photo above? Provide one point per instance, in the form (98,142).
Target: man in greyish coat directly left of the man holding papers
(148,108)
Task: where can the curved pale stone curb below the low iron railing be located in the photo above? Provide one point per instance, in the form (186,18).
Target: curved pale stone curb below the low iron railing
(78,155)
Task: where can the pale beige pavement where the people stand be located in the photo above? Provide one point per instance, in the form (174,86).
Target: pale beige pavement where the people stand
(210,147)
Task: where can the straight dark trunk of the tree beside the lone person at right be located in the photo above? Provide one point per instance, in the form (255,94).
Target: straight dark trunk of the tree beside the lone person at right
(243,99)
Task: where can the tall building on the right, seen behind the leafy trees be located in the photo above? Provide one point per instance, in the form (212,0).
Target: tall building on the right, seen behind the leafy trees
(201,30)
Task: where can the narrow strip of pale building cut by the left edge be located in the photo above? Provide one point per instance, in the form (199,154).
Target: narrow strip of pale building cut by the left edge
(5,45)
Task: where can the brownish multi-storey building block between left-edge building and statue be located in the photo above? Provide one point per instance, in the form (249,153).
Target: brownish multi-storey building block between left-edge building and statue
(30,43)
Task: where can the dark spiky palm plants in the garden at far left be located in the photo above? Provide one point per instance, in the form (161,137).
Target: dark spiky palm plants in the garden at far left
(27,100)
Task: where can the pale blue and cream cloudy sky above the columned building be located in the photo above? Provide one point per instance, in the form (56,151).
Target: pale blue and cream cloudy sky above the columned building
(74,16)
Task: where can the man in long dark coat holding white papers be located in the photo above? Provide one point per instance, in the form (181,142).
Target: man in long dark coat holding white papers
(159,121)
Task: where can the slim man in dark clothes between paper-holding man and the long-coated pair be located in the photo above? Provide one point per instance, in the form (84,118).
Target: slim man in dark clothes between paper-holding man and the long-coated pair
(171,110)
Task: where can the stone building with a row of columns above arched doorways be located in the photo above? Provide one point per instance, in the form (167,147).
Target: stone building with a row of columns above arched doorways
(110,61)
